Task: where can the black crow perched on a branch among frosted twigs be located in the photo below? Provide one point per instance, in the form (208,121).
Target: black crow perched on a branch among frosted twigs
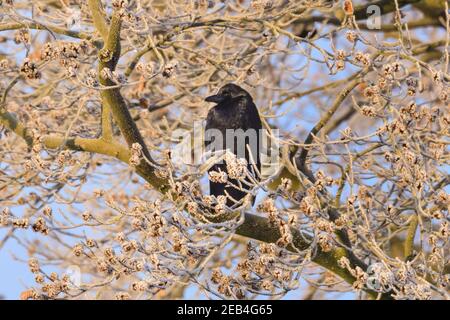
(233,124)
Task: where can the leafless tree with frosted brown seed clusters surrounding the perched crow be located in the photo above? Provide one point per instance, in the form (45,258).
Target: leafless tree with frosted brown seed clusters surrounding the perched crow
(356,96)
